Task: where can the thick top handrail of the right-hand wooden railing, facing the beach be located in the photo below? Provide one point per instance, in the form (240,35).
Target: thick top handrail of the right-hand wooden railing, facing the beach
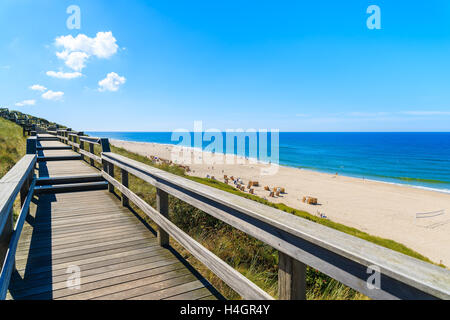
(341,256)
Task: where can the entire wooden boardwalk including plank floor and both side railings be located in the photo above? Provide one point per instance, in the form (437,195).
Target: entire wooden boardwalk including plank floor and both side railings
(72,223)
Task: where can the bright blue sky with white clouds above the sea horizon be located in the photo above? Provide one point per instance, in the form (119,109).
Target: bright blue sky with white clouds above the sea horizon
(288,65)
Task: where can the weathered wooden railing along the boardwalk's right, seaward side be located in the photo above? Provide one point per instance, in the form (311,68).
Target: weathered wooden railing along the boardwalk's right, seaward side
(299,242)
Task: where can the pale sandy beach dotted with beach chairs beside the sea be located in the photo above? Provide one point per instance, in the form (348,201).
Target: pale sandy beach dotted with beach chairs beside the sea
(378,208)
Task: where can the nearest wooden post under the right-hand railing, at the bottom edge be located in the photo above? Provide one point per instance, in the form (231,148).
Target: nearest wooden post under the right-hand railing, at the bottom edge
(291,278)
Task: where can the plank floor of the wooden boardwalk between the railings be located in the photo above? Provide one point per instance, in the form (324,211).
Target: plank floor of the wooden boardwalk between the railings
(117,255)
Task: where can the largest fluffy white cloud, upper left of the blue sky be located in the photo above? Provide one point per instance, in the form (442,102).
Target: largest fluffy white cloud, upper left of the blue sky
(77,50)
